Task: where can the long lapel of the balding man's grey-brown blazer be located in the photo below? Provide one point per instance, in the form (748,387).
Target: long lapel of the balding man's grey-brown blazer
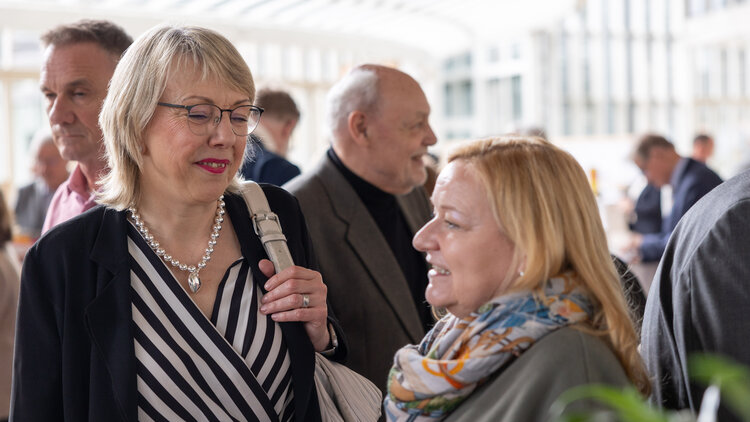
(369,244)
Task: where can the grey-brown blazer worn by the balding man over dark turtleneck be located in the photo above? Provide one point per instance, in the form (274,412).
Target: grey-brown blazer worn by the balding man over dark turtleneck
(366,287)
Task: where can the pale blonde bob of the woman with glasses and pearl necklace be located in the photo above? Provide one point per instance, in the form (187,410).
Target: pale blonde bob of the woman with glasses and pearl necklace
(136,87)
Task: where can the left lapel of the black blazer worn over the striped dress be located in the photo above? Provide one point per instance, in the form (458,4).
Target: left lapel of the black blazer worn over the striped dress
(108,316)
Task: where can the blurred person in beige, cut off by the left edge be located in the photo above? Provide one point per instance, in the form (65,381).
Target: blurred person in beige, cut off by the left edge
(8,302)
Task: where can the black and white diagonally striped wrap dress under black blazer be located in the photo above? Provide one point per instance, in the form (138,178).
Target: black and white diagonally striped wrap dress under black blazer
(233,367)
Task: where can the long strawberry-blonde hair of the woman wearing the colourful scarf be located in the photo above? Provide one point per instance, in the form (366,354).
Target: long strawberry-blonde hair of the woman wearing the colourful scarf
(541,198)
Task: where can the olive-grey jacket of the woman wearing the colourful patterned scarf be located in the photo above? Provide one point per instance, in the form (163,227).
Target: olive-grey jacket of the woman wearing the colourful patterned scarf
(526,389)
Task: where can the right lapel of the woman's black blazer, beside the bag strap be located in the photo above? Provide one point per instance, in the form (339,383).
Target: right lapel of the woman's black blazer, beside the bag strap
(300,349)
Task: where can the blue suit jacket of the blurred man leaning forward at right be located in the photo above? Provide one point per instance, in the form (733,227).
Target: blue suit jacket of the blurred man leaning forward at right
(695,181)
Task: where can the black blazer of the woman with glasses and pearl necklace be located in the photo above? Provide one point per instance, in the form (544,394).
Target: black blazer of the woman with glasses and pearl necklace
(74,356)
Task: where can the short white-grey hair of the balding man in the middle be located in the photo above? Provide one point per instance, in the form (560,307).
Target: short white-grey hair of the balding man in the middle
(358,90)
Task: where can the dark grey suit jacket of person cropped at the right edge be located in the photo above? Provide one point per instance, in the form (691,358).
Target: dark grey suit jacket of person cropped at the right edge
(699,298)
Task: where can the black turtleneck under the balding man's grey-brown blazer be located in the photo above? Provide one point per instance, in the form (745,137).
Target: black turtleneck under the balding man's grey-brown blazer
(387,214)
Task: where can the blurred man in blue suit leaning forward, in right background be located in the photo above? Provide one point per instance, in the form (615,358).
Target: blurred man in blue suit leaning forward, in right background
(689,179)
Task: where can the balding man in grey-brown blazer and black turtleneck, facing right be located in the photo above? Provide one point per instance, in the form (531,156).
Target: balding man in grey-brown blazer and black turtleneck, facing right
(363,203)
